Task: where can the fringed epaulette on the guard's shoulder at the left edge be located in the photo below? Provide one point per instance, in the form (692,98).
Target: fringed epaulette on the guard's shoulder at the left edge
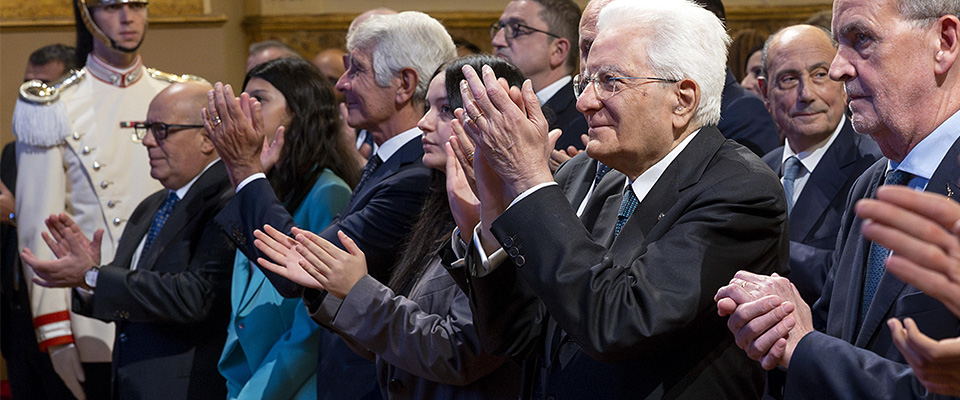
(38,118)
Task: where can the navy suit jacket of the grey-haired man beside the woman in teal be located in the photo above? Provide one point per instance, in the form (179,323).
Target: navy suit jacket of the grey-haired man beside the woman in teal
(378,218)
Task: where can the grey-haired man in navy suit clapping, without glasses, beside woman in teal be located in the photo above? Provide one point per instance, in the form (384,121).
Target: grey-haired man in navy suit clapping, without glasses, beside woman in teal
(391,59)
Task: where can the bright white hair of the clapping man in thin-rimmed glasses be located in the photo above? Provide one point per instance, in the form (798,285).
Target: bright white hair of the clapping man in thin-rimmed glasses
(682,40)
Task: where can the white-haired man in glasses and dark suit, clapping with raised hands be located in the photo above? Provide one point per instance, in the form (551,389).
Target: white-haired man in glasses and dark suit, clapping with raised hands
(616,303)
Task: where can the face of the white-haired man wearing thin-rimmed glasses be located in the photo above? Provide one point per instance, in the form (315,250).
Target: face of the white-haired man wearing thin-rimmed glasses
(633,125)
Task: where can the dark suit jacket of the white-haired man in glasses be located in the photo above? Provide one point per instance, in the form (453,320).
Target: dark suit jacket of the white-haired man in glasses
(637,310)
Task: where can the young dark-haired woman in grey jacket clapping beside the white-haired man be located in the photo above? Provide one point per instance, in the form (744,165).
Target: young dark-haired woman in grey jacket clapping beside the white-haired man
(418,326)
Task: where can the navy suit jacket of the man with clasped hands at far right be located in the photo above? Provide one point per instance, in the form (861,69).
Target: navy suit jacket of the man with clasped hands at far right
(843,360)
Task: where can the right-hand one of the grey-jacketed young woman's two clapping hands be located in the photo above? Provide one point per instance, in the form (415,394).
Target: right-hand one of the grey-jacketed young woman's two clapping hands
(336,270)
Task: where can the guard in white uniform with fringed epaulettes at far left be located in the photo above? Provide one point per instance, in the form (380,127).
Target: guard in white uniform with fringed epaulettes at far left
(74,157)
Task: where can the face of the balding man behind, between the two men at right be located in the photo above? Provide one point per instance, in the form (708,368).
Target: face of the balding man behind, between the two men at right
(800,95)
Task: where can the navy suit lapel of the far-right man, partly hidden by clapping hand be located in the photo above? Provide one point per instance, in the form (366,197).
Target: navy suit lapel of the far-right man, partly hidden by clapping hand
(943,182)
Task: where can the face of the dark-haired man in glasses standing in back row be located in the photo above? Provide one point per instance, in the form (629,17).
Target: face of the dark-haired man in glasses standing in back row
(530,51)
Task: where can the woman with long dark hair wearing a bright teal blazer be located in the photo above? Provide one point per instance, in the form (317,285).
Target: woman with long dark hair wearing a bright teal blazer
(271,347)
